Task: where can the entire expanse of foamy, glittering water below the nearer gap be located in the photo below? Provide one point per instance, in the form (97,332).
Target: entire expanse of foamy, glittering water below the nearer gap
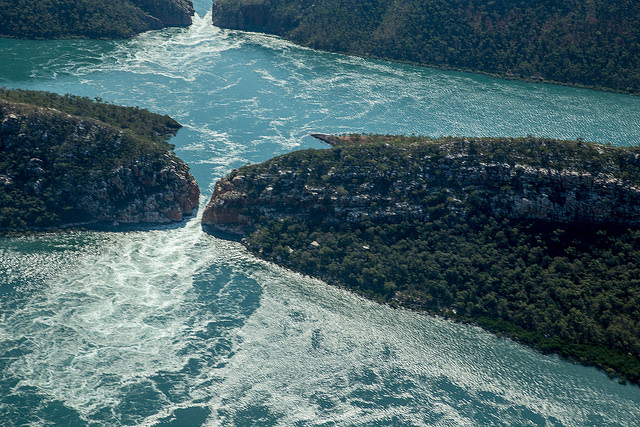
(102,331)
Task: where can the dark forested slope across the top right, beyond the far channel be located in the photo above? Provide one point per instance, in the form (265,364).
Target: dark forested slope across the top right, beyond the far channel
(594,43)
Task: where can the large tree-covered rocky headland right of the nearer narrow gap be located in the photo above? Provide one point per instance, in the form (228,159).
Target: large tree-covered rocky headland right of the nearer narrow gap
(534,239)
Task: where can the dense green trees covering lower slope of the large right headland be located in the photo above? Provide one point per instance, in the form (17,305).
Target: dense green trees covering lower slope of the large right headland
(565,290)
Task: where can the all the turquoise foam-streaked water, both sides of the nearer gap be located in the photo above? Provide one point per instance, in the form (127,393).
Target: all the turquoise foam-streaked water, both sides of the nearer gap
(176,327)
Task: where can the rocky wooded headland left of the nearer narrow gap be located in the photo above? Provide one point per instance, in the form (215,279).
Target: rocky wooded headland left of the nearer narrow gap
(69,160)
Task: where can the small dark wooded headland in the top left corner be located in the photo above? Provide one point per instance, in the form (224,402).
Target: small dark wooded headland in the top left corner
(95,19)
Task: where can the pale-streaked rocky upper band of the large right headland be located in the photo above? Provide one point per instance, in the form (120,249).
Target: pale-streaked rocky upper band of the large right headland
(389,182)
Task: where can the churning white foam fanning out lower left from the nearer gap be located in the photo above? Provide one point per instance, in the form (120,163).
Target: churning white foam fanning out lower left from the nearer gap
(113,320)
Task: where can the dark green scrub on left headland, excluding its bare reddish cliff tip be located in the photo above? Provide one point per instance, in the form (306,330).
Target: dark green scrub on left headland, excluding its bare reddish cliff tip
(51,155)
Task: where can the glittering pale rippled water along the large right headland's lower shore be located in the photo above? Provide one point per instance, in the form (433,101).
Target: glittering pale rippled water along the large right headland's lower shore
(313,354)
